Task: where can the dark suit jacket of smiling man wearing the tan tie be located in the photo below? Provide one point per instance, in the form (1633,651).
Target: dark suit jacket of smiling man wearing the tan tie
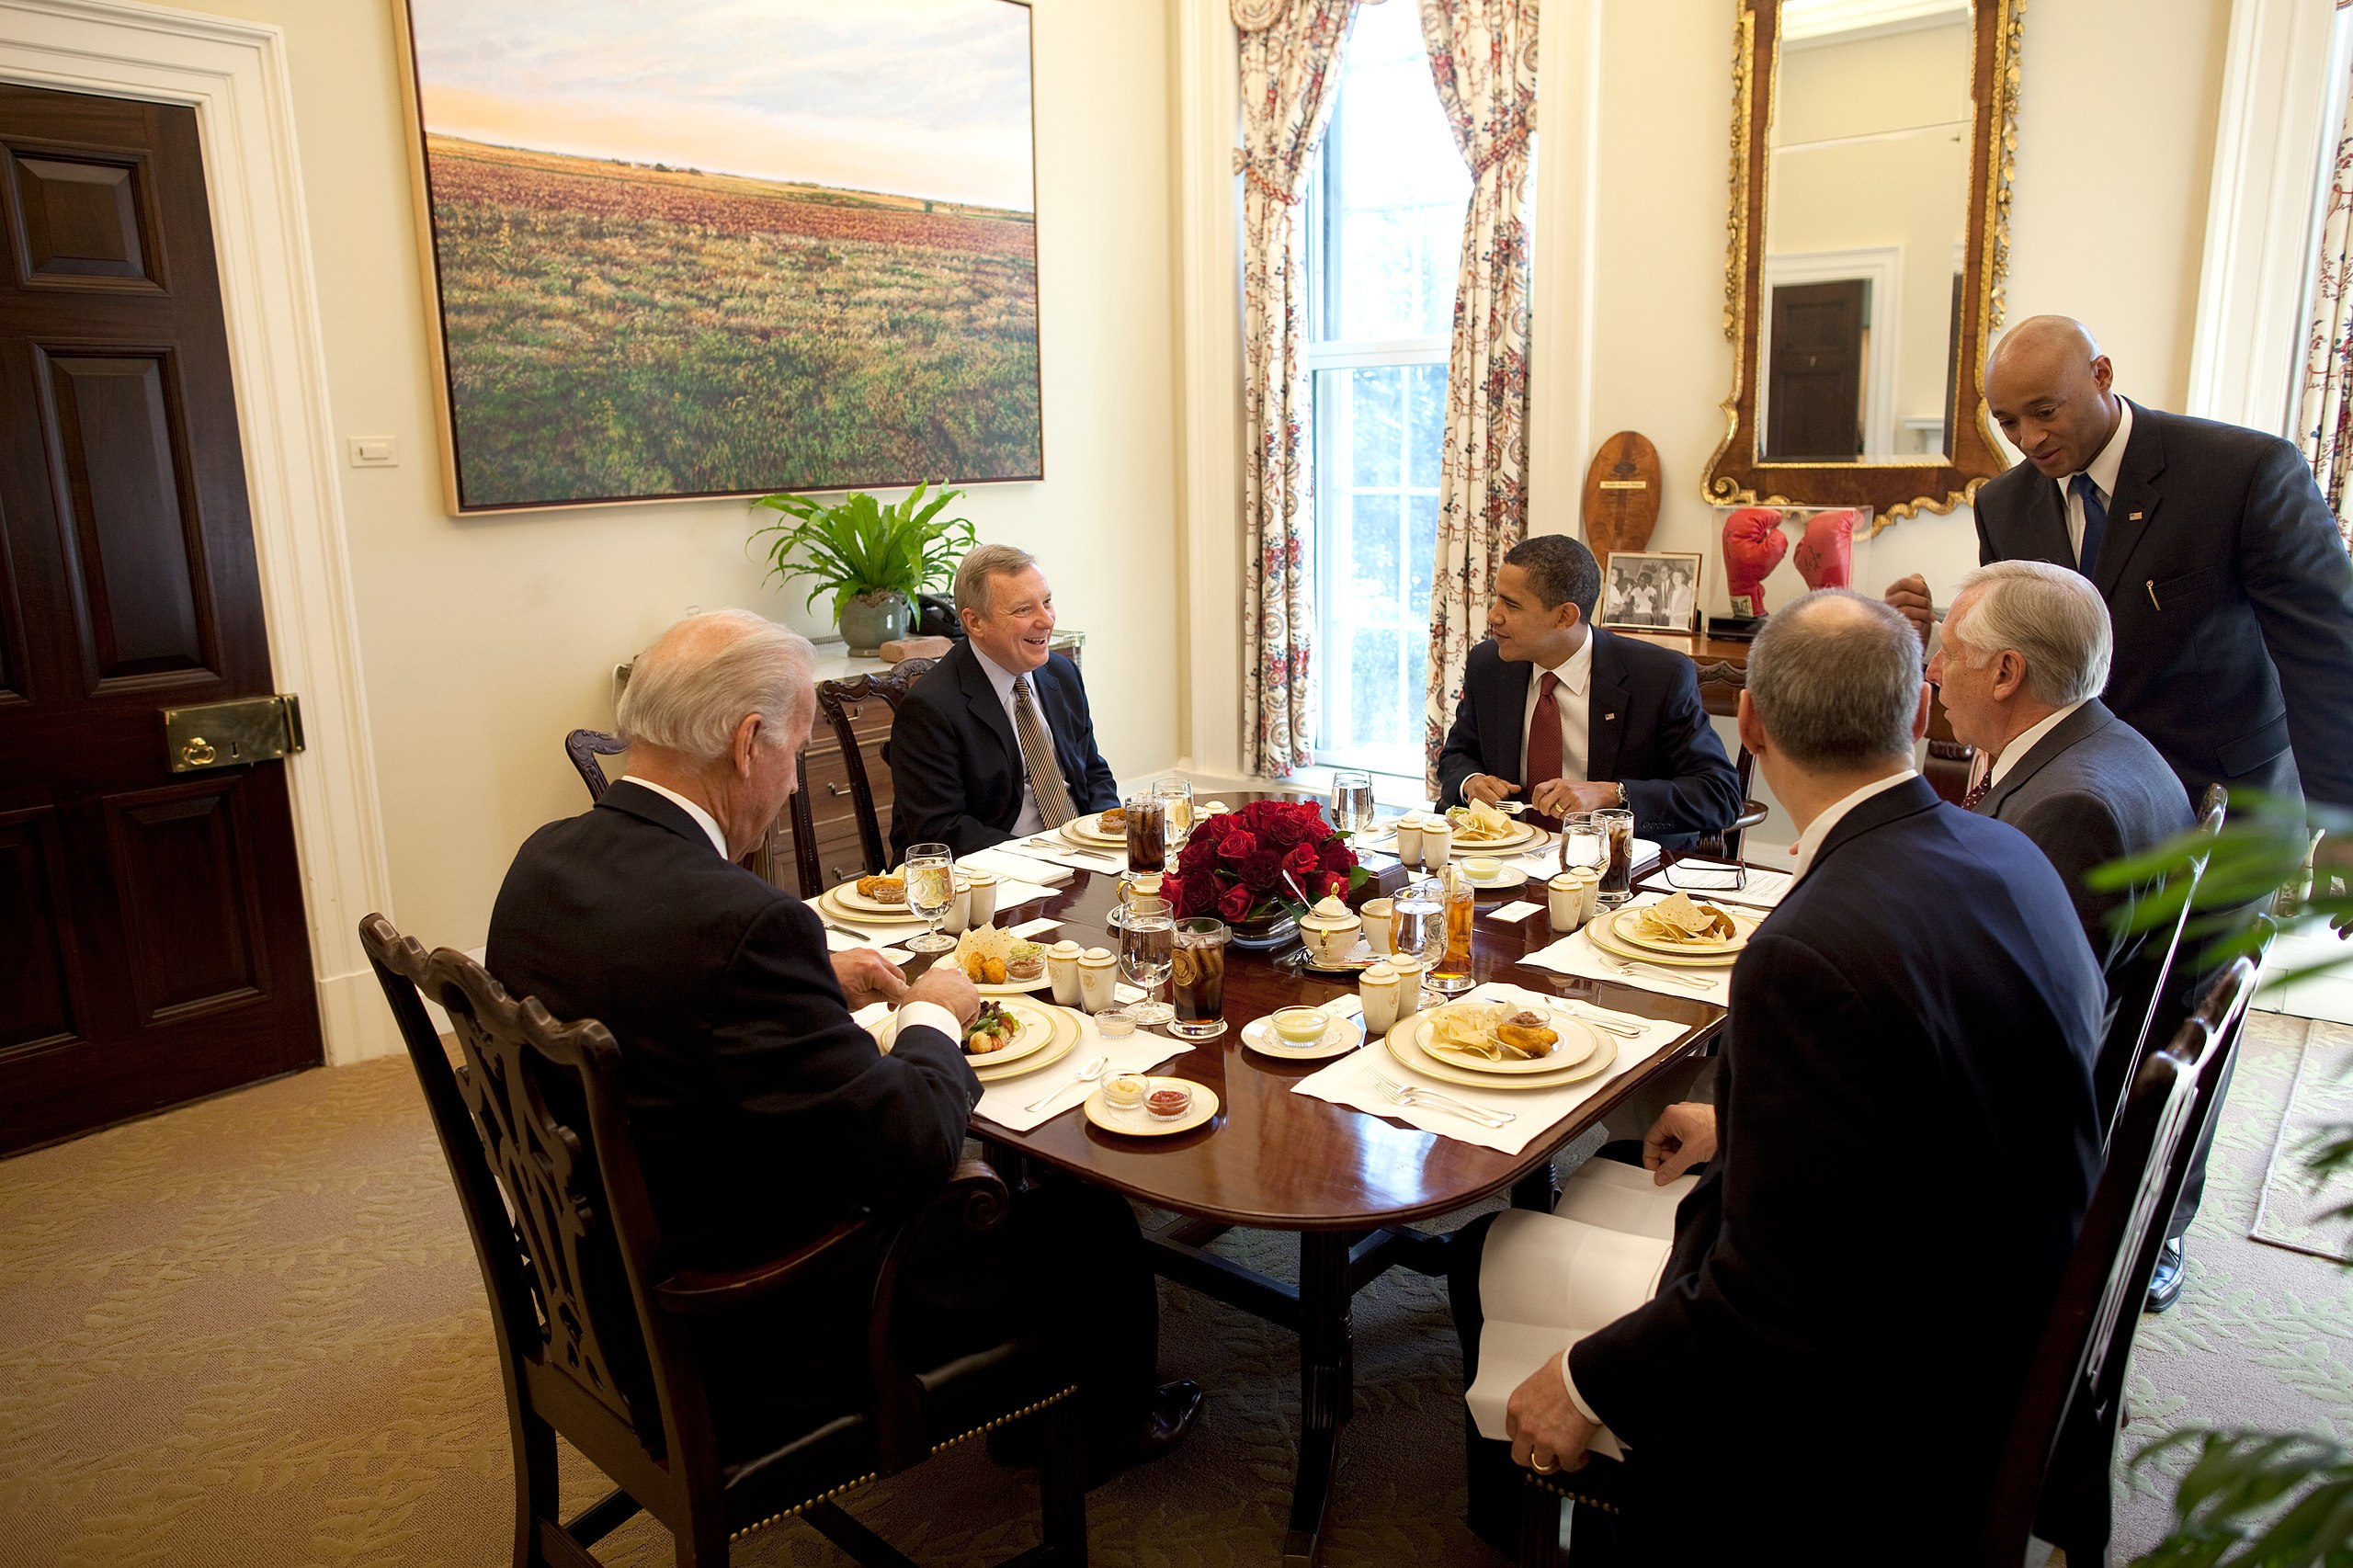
(956,766)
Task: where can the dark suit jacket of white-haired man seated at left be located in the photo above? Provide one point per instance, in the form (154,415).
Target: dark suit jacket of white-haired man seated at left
(764,1115)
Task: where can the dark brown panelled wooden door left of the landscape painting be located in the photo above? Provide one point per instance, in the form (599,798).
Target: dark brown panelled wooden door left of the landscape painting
(152,924)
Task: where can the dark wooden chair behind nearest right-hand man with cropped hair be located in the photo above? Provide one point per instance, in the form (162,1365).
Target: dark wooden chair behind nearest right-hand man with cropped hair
(2058,1463)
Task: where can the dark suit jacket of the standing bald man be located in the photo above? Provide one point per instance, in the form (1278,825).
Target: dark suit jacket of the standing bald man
(2232,602)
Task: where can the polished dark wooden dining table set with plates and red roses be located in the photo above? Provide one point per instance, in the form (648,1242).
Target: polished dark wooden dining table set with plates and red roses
(1345,1183)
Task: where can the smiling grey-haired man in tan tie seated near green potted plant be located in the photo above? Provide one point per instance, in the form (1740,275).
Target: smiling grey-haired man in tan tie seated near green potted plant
(996,740)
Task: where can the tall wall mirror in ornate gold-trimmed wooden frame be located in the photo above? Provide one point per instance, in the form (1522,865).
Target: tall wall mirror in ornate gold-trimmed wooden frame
(1872,159)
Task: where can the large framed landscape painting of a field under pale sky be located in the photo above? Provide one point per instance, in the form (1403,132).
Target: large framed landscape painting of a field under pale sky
(716,248)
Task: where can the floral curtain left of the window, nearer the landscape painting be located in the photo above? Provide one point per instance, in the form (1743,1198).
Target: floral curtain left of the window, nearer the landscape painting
(1291,81)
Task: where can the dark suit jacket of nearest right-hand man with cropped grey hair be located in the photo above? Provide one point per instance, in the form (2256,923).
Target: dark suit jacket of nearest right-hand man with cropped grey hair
(1905,1103)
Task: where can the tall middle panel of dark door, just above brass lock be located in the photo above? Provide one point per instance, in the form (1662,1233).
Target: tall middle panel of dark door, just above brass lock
(124,467)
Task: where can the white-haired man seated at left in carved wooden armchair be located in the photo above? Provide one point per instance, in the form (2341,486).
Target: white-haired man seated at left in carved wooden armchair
(761,1110)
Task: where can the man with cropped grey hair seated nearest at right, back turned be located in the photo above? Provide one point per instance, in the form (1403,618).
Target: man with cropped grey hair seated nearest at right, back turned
(1907,1084)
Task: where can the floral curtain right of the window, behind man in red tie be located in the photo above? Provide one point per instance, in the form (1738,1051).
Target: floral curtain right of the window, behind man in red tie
(1484,55)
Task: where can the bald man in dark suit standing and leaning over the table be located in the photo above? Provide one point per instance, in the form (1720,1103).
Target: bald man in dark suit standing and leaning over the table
(2220,564)
